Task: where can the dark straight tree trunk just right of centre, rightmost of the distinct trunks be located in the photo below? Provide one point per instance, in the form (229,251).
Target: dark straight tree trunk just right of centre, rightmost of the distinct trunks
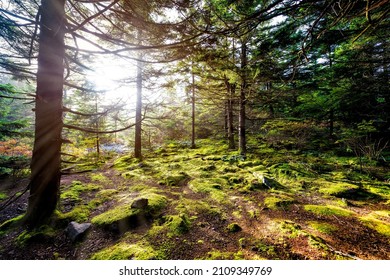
(242,114)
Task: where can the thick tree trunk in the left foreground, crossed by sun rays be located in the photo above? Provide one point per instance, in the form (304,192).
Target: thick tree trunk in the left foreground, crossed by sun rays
(46,159)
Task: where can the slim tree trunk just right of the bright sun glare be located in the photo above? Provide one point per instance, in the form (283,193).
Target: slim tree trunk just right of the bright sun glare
(138,109)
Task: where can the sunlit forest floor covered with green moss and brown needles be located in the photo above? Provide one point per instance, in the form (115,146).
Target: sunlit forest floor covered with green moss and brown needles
(206,203)
